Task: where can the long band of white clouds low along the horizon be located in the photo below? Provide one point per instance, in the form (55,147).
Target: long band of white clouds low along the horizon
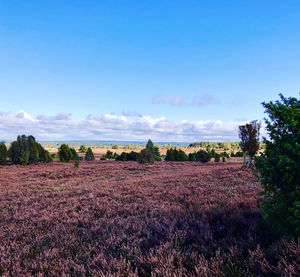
(113,127)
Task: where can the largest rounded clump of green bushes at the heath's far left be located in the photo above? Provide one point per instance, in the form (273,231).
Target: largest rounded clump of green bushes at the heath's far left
(25,150)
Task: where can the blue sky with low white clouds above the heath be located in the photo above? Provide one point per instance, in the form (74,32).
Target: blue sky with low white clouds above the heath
(129,70)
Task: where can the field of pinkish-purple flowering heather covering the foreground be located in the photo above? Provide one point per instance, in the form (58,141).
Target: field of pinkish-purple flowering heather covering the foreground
(130,219)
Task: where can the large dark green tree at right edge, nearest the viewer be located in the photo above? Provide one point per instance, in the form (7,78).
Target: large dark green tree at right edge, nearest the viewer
(279,166)
